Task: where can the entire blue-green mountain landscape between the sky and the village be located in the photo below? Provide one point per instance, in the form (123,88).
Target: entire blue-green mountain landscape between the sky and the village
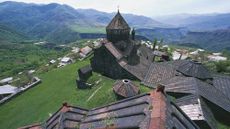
(67,24)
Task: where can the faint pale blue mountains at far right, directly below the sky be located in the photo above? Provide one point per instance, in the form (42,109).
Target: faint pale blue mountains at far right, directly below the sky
(198,22)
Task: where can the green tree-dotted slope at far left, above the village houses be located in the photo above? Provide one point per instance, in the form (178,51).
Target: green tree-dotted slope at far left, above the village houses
(19,57)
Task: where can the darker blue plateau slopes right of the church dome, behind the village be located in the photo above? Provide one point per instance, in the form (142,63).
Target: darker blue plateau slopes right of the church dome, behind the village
(217,40)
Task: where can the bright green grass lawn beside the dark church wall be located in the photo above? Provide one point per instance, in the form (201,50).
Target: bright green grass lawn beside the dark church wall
(58,86)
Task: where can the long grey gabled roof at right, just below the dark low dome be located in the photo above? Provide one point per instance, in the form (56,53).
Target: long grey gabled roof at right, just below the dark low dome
(190,85)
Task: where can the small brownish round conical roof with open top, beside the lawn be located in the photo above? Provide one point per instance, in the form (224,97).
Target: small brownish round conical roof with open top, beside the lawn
(125,88)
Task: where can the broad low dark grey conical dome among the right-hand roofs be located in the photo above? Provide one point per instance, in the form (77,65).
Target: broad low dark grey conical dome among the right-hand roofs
(194,69)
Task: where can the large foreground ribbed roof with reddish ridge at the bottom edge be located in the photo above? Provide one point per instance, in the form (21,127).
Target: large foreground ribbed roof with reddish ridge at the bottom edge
(146,111)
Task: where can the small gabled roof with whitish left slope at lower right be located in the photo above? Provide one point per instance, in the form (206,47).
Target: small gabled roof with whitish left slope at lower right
(197,110)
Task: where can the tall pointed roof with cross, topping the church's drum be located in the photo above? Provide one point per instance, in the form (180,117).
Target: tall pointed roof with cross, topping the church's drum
(118,22)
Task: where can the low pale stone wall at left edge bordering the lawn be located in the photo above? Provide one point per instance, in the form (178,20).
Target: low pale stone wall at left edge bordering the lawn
(20,90)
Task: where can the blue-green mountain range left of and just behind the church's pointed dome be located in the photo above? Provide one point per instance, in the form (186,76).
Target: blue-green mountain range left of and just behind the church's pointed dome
(61,23)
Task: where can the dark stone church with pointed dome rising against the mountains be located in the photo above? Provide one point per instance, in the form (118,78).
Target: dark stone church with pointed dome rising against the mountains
(120,55)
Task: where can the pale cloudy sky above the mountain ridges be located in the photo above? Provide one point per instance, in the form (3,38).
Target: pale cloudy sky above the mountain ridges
(146,7)
